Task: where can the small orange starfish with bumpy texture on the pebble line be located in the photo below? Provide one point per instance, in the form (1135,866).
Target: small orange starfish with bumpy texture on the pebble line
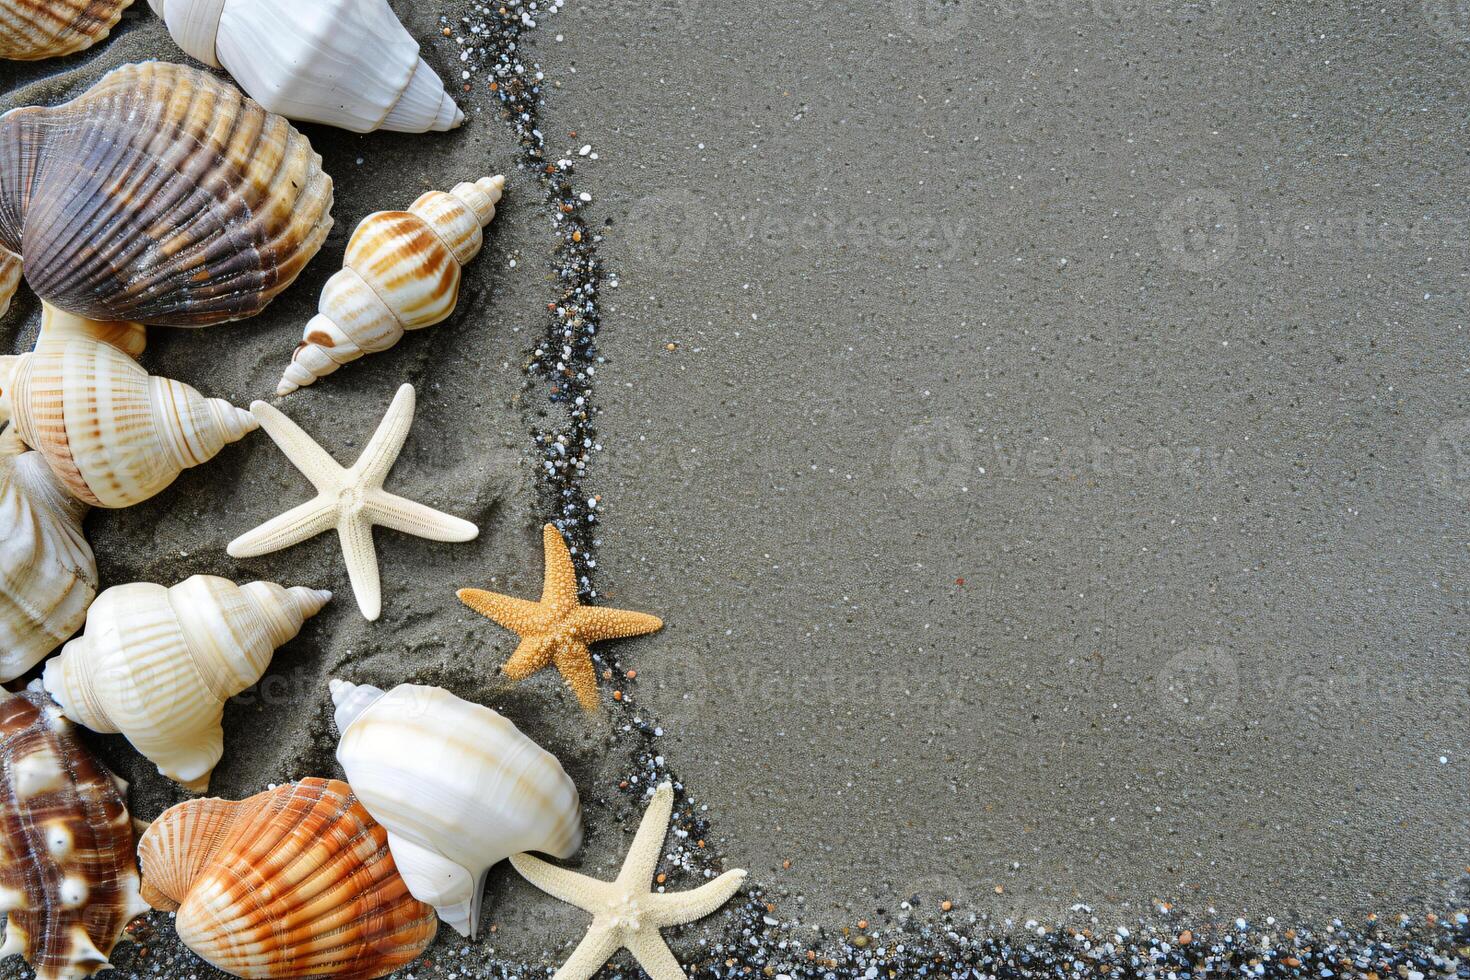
(559,628)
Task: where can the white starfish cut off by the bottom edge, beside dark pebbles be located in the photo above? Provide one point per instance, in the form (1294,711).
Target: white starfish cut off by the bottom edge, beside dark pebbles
(628,913)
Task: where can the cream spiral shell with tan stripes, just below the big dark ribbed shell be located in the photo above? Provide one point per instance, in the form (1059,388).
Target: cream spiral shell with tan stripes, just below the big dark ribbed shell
(112,434)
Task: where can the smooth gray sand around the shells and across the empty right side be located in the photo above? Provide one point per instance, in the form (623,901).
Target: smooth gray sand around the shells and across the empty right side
(1056,491)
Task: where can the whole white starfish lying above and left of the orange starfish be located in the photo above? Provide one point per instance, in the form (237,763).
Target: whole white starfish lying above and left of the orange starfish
(351,500)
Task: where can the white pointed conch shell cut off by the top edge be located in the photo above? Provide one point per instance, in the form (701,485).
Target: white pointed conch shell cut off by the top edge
(348,64)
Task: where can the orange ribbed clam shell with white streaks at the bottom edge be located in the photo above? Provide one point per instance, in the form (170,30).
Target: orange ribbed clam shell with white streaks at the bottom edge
(295,882)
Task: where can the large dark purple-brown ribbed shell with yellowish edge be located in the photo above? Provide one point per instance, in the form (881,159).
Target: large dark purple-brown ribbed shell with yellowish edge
(161,196)
